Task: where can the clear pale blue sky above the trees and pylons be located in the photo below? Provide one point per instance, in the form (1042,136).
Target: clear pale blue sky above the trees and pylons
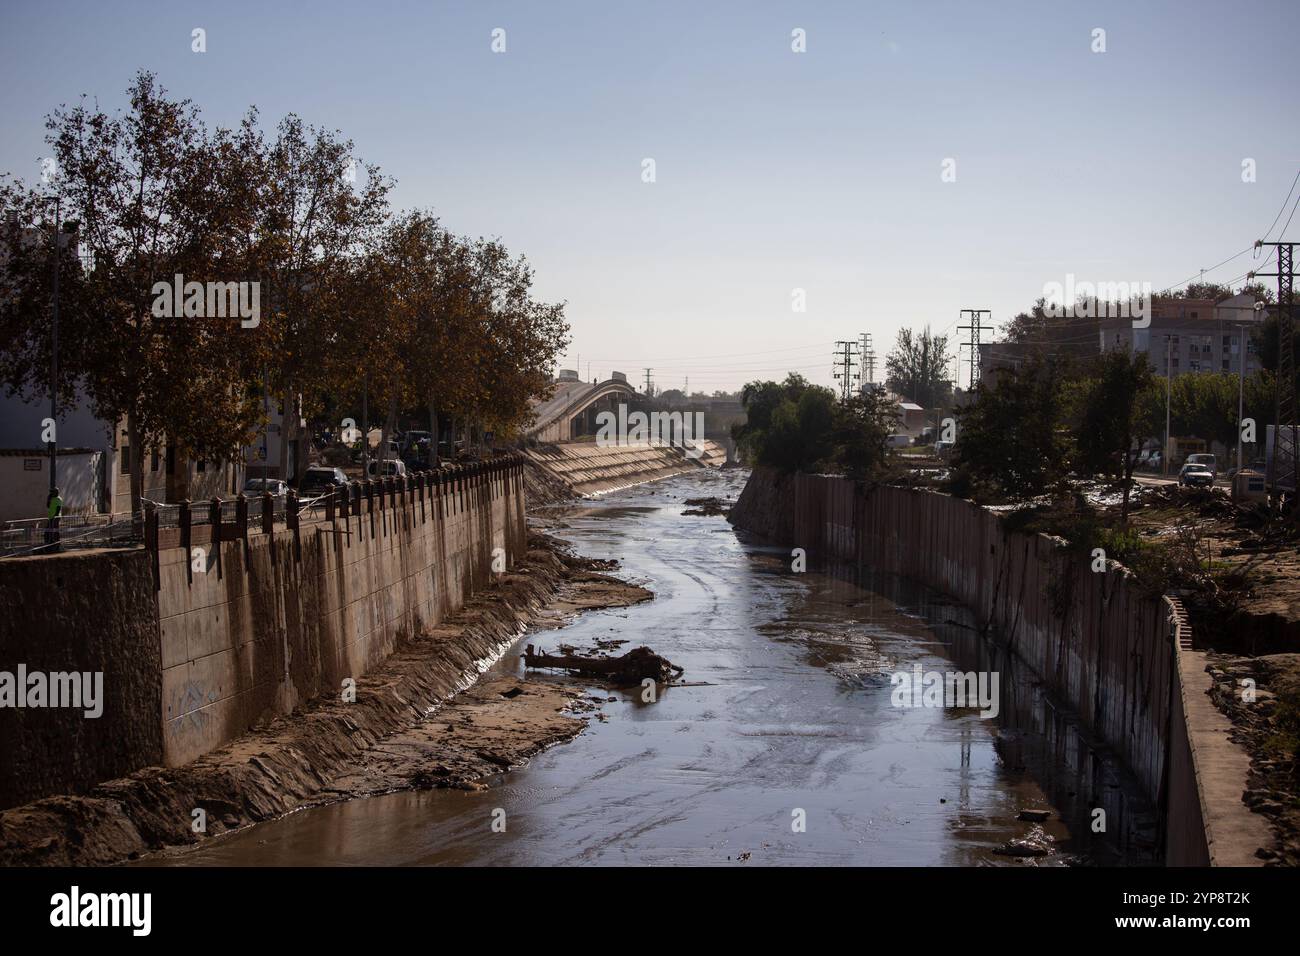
(775,170)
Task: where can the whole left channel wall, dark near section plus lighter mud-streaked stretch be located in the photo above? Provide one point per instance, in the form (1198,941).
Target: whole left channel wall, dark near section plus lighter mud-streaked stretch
(205,635)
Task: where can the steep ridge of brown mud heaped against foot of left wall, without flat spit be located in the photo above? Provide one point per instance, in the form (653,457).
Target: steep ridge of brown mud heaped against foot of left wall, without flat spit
(307,758)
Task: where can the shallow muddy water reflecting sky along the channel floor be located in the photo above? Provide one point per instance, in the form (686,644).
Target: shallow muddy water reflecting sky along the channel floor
(795,715)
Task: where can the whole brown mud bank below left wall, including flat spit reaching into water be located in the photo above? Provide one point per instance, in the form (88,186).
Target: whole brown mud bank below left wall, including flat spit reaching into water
(406,729)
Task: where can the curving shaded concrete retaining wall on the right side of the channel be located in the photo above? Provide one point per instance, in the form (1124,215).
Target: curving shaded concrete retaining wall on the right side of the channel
(1121,660)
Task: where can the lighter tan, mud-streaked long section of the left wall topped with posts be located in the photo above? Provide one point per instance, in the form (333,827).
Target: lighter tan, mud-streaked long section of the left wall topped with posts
(285,617)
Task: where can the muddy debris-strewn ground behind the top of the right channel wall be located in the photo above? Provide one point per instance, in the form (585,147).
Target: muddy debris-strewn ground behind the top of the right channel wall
(1237,569)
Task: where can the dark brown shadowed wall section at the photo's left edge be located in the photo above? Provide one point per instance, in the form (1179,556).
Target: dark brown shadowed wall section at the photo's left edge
(80,612)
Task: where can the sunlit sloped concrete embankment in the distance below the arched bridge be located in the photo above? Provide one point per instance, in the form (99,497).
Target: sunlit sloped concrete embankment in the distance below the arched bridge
(588,469)
